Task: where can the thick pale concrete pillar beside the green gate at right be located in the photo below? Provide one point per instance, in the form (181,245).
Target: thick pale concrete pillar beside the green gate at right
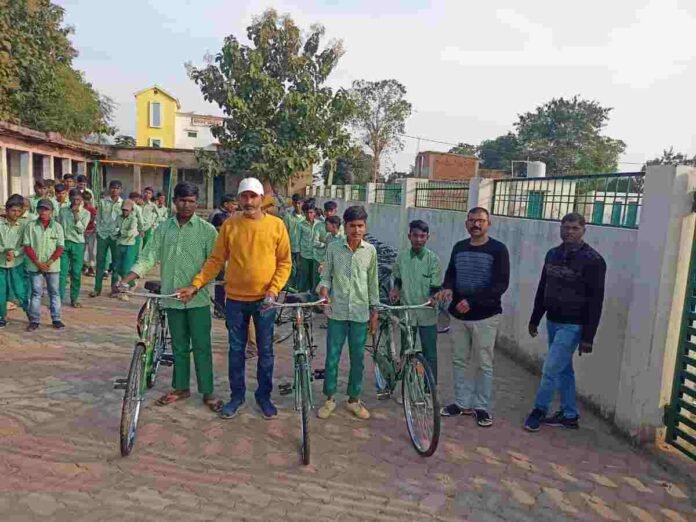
(666,205)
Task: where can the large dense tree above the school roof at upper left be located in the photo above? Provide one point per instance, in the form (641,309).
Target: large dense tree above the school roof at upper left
(39,88)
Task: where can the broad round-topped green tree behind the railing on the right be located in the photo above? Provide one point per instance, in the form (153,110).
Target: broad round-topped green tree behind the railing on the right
(566,135)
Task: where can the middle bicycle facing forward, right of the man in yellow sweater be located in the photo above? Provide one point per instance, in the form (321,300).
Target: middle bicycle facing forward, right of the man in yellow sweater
(303,352)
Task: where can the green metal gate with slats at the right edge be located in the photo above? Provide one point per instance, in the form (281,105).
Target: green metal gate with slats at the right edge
(680,415)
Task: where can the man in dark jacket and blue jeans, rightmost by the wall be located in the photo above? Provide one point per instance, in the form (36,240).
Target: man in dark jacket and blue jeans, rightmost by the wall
(570,293)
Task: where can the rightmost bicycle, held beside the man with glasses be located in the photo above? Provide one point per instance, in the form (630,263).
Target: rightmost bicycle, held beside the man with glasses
(418,389)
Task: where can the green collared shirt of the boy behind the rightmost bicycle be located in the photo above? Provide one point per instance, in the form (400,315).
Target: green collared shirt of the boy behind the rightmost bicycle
(419,273)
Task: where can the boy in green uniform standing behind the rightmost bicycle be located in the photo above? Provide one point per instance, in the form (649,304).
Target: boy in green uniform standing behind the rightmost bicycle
(417,277)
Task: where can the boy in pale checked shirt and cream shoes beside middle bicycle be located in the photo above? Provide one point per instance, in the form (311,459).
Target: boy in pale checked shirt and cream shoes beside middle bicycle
(350,284)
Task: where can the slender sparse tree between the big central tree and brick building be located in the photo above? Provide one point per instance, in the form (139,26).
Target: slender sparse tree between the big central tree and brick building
(381,113)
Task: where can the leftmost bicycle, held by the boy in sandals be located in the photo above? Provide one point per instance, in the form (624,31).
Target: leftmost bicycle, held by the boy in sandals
(148,355)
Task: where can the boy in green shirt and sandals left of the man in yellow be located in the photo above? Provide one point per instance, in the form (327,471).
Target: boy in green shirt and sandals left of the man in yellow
(181,246)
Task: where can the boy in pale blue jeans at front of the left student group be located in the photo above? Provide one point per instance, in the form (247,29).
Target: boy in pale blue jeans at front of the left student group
(43,245)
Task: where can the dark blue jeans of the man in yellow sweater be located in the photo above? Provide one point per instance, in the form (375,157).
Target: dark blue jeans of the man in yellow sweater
(239,313)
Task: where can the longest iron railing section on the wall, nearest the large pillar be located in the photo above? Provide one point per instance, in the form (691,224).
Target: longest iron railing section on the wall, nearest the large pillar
(603,199)
